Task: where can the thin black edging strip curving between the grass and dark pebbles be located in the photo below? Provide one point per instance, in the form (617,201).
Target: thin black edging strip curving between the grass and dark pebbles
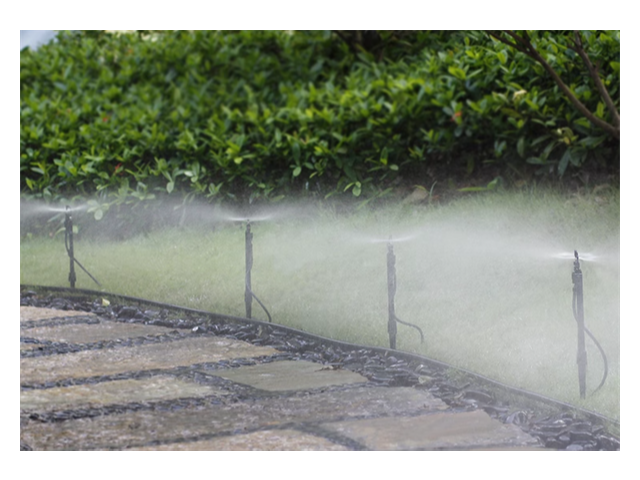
(527,396)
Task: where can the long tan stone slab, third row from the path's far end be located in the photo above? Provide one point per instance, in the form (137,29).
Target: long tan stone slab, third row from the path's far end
(90,363)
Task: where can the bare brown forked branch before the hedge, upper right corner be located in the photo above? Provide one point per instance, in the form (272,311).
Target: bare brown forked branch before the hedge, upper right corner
(523,44)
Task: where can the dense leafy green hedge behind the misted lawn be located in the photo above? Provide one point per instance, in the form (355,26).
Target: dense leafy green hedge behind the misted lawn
(266,113)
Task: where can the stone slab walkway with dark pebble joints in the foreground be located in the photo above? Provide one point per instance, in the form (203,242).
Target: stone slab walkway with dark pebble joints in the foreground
(87,383)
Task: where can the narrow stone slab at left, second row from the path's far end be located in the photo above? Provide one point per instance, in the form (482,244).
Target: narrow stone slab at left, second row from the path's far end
(83,333)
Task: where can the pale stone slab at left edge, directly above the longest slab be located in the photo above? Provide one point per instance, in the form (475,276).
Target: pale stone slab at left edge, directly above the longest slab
(113,392)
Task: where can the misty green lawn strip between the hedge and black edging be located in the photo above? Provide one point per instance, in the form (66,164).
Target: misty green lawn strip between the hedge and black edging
(479,277)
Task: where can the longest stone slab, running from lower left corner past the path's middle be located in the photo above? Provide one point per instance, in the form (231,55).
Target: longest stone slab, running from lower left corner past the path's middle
(143,427)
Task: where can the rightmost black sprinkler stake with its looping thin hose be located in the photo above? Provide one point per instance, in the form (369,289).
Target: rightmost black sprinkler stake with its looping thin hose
(578,313)
